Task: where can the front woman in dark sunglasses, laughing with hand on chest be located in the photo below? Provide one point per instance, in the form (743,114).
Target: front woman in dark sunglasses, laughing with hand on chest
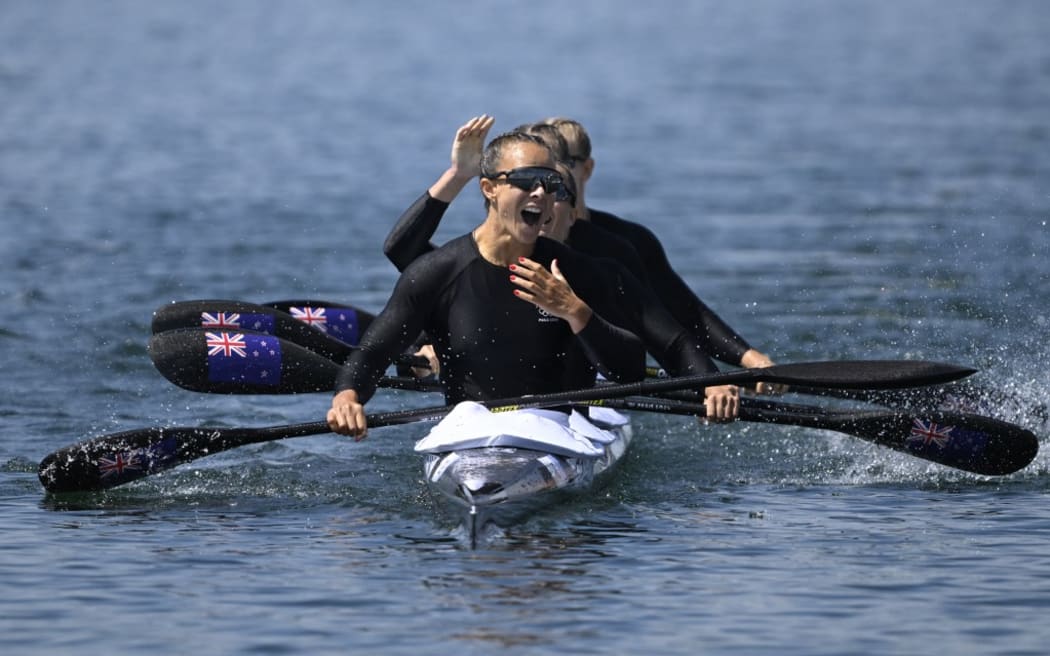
(468,297)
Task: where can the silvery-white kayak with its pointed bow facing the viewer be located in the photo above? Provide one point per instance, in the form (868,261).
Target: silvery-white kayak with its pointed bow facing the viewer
(492,470)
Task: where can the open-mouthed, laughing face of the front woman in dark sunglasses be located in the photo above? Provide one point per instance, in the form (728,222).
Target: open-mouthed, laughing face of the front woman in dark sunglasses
(517,213)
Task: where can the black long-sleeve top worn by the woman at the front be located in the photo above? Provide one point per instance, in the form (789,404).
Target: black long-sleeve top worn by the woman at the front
(491,344)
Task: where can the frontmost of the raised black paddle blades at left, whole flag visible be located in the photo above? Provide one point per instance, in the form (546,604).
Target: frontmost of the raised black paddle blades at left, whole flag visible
(240,363)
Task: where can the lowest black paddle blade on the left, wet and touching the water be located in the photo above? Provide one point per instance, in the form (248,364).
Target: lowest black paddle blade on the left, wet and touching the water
(121,458)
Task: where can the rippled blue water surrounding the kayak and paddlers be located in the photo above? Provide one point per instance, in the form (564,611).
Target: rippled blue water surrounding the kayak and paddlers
(863,180)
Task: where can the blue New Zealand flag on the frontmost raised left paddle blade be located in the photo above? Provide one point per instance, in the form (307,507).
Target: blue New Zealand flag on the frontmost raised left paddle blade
(239,357)
